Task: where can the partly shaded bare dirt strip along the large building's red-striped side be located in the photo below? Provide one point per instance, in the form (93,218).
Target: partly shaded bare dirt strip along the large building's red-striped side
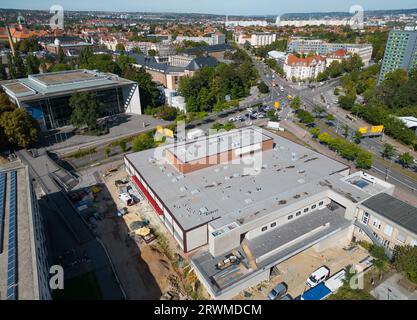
(145,271)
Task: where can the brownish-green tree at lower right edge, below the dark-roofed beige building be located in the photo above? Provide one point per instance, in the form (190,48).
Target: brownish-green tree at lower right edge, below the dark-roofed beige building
(405,260)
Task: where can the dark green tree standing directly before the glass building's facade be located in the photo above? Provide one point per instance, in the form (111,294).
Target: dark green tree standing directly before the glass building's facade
(85,110)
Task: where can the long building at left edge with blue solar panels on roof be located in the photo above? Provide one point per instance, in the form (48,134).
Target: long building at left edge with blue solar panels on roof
(24,268)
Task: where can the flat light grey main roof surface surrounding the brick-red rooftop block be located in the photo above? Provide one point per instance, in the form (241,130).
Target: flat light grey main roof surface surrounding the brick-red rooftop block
(243,191)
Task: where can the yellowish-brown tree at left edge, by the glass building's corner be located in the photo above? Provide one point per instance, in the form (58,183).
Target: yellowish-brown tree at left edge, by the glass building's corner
(19,127)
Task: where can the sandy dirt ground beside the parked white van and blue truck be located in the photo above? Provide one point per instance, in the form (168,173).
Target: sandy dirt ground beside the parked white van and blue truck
(295,271)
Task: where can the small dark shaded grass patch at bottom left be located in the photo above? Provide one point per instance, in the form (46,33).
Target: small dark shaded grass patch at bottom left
(84,287)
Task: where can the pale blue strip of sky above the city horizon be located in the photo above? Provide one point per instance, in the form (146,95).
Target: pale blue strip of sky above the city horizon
(229,7)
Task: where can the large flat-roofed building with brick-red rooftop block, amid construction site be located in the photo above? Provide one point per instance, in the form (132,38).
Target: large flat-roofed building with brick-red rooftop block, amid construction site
(253,195)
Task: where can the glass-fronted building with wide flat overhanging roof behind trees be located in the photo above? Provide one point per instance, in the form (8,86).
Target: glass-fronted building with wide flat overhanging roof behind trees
(46,96)
